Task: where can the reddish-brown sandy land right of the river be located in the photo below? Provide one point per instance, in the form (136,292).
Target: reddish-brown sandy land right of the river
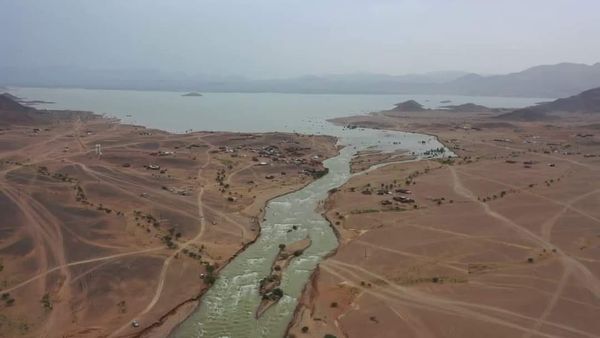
(503,241)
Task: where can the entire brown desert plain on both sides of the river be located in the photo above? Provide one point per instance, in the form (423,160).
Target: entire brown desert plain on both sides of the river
(116,230)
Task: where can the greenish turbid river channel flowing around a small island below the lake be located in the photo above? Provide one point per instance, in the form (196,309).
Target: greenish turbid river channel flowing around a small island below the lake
(228,308)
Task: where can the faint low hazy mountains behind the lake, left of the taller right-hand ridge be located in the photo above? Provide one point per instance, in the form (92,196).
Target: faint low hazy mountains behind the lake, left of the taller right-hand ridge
(147,79)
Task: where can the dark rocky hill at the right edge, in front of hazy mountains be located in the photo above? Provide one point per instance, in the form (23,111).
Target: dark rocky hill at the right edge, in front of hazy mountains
(585,102)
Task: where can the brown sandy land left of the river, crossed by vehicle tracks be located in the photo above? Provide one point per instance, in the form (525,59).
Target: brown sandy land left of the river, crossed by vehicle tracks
(92,242)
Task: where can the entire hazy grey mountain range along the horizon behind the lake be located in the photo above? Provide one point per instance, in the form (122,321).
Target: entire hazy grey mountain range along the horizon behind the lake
(550,81)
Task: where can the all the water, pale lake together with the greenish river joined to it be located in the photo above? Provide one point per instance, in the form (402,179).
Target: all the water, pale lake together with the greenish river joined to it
(228,308)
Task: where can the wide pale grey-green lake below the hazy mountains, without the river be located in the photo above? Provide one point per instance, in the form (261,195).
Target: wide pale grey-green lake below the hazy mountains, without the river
(247,112)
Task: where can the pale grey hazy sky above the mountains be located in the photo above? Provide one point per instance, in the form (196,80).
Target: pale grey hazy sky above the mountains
(278,38)
